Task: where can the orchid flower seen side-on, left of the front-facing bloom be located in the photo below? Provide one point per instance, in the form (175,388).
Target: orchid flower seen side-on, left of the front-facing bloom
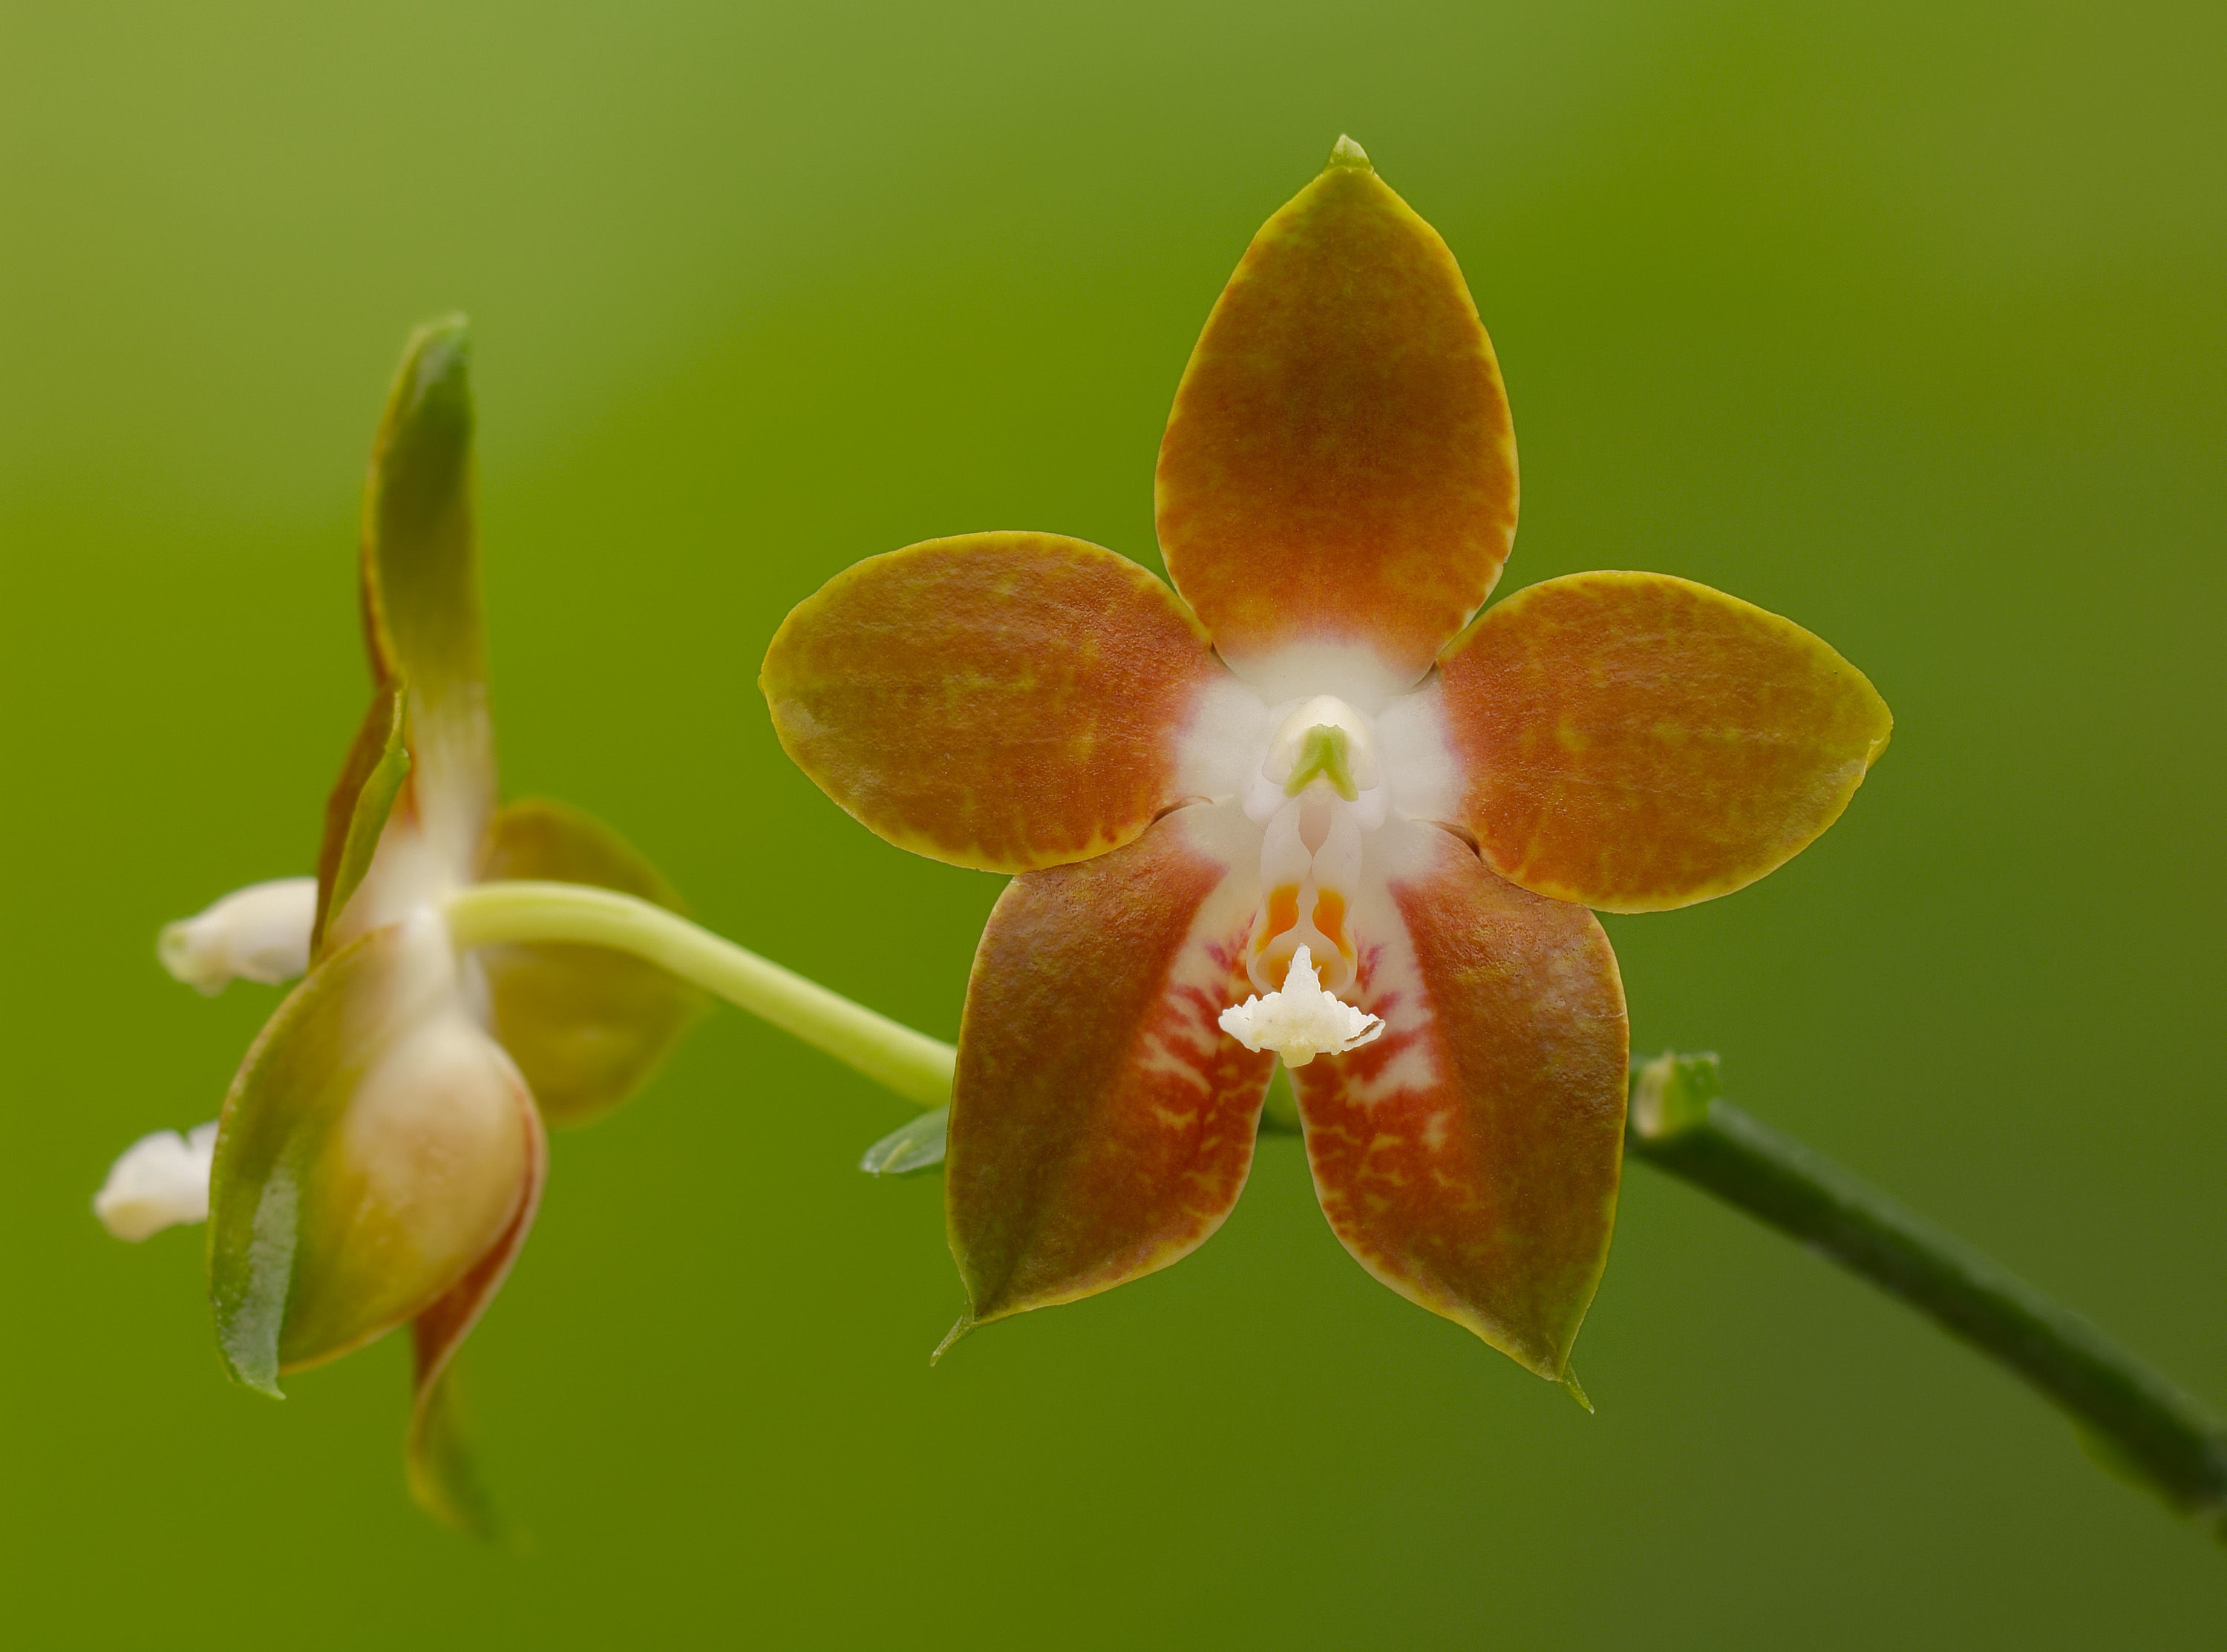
(382,1152)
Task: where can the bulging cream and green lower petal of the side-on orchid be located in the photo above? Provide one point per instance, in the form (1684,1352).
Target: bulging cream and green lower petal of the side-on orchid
(373,1150)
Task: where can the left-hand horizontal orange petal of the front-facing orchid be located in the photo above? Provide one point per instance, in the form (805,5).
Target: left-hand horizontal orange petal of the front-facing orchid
(997,700)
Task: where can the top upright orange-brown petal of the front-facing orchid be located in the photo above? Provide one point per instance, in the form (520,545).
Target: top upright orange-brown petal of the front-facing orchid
(1340,466)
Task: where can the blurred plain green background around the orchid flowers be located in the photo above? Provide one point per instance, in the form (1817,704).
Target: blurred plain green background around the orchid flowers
(1901,319)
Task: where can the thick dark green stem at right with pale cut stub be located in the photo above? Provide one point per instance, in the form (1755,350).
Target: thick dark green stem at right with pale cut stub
(2152,1428)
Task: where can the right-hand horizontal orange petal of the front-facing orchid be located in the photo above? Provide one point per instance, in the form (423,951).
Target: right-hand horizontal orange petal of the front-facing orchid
(1640,743)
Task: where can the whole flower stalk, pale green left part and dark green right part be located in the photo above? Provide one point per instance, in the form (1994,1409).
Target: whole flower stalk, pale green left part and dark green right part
(1680,1123)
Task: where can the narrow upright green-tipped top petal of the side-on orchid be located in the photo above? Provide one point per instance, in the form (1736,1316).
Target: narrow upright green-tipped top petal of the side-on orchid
(422,587)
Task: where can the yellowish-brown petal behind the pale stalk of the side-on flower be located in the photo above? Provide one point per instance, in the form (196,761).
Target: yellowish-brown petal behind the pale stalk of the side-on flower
(585,1025)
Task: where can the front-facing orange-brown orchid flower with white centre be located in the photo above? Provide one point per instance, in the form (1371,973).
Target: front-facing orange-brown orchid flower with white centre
(1313,805)
